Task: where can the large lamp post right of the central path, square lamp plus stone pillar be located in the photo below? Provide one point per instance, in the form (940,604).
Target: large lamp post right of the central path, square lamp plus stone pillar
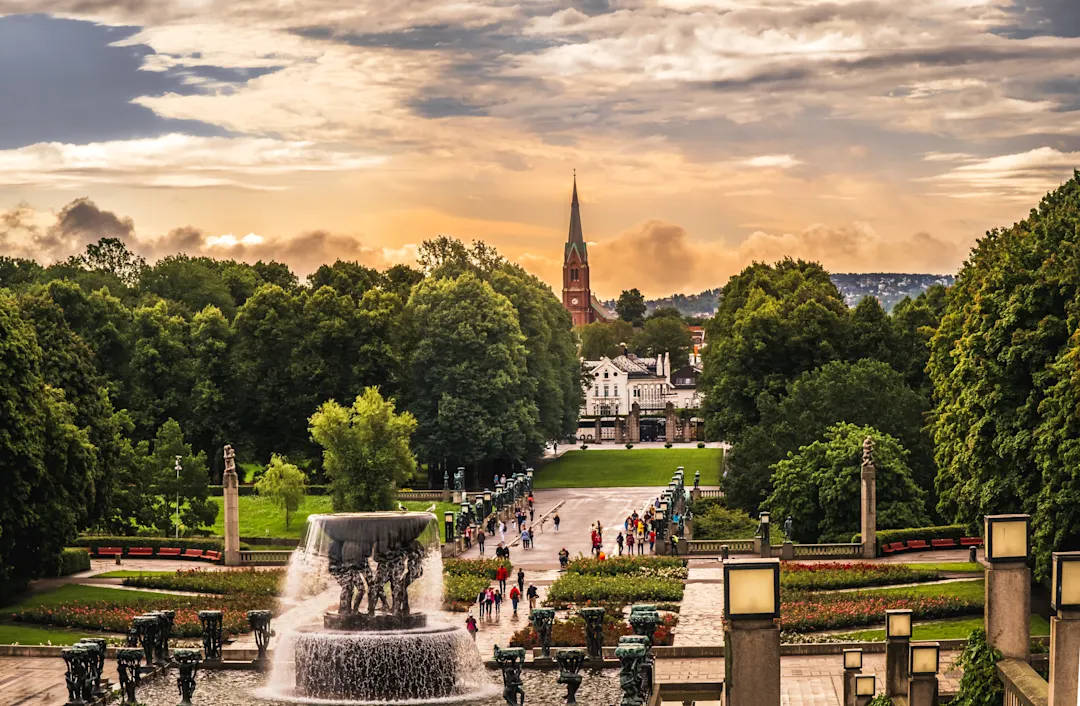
(752,637)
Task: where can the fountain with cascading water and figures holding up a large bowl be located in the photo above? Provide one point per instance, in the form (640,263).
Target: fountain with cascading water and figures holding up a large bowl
(374,645)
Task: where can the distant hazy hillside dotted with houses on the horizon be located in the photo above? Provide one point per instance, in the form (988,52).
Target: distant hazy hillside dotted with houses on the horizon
(888,288)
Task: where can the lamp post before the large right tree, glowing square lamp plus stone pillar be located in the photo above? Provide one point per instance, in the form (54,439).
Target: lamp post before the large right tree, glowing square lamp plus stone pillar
(1009,585)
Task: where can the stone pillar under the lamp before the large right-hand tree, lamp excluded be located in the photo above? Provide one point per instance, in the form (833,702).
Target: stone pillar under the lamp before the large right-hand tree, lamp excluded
(1009,609)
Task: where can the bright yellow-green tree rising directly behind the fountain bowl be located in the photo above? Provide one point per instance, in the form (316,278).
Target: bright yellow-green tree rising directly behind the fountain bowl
(366,451)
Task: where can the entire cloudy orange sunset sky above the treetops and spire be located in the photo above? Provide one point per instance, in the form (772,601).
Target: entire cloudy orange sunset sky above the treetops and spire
(706,134)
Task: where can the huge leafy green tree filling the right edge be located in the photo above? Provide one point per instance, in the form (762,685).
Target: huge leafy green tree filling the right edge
(1004,366)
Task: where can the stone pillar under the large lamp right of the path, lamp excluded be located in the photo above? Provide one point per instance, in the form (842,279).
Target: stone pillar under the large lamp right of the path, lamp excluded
(752,663)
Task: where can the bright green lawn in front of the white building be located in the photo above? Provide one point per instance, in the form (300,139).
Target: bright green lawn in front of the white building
(629,468)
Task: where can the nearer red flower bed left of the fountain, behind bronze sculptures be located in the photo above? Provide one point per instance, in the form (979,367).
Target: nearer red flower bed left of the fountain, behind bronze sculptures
(116,617)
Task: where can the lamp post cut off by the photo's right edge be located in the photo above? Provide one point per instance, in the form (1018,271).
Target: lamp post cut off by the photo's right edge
(1065,628)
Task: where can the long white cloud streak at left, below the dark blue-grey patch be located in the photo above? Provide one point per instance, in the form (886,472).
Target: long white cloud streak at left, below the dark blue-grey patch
(177,161)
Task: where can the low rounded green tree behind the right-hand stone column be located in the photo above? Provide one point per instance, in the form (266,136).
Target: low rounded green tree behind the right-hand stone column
(819,486)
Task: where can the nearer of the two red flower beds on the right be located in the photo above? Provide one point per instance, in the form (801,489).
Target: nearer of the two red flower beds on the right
(822,612)
